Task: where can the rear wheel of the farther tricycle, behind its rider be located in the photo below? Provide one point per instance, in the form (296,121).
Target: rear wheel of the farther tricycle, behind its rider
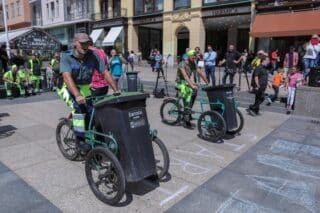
(170,112)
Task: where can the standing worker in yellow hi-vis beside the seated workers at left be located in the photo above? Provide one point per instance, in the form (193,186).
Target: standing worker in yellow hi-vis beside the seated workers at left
(34,68)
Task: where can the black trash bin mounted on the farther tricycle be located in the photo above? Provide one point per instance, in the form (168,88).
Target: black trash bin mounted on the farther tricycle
(224,94)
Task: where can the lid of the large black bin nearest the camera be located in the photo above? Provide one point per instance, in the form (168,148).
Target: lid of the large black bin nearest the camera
(124,97)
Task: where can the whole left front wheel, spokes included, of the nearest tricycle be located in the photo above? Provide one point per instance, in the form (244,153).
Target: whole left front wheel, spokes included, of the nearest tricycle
(105,175)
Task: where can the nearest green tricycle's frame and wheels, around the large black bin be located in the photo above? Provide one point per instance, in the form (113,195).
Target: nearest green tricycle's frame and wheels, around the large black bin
(103,169)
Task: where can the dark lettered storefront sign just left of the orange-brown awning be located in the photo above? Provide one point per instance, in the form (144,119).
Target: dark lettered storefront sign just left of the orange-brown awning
(226,11)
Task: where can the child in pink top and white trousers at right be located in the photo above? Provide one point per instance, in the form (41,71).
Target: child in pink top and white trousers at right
(294,79)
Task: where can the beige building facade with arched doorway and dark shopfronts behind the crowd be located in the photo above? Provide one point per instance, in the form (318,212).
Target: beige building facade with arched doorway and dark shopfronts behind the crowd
(171,26)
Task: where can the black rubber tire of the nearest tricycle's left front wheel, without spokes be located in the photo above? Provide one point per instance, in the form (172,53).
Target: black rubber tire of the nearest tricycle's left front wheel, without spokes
(118,169)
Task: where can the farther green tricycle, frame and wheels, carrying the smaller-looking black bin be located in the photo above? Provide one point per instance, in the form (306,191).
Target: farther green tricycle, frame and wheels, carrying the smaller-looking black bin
(211,124)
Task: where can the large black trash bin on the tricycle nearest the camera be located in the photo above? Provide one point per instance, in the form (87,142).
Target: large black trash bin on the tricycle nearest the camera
(125,117)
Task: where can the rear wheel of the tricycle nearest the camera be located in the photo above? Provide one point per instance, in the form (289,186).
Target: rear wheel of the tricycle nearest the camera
(66,139)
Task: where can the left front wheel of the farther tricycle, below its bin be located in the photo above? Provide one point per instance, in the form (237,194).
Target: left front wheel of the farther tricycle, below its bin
(211,126)
